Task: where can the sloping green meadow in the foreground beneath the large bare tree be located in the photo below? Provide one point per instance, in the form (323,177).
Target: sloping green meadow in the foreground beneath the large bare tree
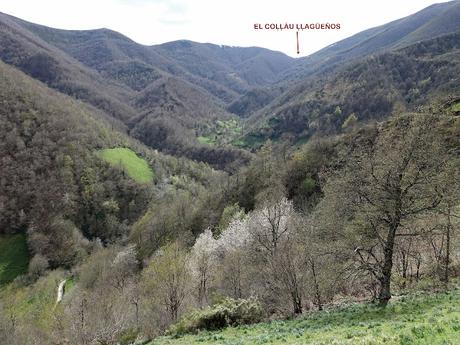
(425,319)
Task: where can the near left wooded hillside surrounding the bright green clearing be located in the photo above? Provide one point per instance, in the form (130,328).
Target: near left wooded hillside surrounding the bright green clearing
(55,186)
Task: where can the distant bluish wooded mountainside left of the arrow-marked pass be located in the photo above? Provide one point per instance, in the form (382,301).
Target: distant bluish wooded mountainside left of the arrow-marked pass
(142,85)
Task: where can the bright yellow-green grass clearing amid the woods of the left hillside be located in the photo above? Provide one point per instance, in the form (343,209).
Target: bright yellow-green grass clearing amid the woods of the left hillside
(136,167)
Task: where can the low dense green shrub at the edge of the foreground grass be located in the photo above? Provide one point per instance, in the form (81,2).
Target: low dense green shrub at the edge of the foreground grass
(228,312)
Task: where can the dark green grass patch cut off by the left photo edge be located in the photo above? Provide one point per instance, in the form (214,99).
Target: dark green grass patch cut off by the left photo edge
(14,257)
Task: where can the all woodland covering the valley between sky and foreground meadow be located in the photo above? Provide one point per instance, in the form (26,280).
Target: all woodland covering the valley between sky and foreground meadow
(272,195)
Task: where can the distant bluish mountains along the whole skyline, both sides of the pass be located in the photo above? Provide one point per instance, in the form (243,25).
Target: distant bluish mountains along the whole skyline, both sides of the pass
(160,84)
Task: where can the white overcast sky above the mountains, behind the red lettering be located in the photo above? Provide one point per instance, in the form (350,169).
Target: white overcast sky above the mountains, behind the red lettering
(229,22)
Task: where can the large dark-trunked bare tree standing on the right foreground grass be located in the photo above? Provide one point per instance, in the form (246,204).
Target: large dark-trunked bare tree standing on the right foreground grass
(395,178)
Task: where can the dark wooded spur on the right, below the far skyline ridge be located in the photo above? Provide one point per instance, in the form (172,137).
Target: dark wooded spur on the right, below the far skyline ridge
(371,88)
